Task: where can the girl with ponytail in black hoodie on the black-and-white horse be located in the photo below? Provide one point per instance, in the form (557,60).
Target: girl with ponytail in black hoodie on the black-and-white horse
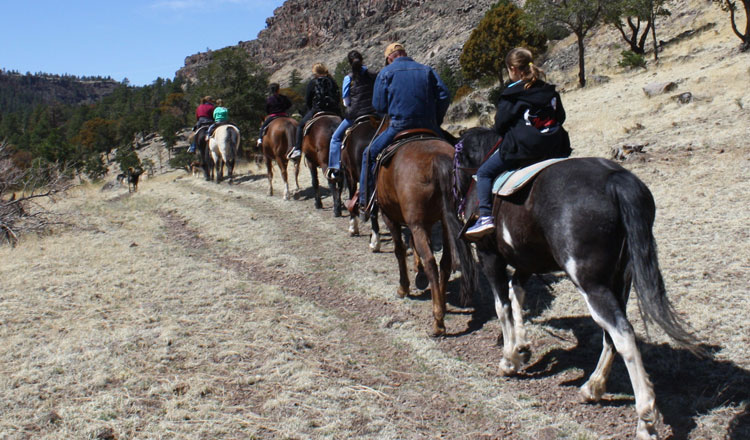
(529,116)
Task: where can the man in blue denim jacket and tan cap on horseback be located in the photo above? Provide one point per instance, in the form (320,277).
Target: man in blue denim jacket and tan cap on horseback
(413,96)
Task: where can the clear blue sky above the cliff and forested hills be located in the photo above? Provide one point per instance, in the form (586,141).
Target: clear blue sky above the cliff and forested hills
(138,39)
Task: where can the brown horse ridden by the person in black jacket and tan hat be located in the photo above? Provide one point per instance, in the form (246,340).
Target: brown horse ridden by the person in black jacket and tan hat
(315,147)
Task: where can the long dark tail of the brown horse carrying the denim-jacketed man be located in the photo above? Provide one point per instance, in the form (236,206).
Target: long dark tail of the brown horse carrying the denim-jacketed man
(460,249)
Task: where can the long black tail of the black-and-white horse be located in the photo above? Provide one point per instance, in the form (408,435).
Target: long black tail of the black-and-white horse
(637,213)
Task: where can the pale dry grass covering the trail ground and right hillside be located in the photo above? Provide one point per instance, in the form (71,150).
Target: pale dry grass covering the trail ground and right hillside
(196,310)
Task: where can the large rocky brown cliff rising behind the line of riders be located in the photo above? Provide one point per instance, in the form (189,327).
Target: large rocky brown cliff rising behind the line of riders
(302,32)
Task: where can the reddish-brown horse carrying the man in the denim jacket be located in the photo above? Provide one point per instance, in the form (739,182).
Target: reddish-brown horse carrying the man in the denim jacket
(414,189)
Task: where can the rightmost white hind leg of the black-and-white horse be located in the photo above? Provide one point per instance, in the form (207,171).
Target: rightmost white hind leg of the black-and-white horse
(608,313)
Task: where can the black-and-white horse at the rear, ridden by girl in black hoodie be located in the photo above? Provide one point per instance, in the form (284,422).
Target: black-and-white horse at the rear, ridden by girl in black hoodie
(592,219)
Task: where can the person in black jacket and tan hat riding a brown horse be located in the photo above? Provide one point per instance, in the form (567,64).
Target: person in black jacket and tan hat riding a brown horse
(321,94)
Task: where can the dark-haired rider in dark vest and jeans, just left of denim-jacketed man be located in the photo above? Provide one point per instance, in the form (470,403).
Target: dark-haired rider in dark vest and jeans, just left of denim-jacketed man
(357,96)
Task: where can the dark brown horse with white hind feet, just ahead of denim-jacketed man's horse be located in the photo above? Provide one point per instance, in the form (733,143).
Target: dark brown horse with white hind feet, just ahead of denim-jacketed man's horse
(357,139)
